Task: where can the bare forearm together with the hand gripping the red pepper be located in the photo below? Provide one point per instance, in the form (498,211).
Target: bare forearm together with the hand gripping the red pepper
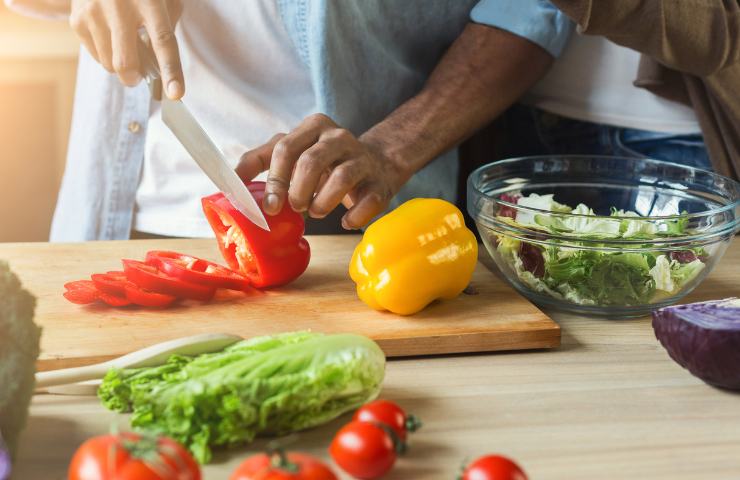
(483,72)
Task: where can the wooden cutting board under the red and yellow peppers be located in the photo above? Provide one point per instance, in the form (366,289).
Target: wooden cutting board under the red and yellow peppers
(323,299)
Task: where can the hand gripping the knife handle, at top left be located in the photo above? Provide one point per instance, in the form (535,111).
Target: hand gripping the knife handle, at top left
(109,30)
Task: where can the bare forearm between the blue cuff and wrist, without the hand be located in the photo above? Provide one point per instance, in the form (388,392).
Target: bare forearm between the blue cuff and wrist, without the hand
(483,73)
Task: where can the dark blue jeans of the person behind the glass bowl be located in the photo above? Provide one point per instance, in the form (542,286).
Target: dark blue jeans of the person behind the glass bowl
(535,132)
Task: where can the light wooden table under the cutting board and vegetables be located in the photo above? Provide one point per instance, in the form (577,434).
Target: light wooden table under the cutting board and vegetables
(608,404)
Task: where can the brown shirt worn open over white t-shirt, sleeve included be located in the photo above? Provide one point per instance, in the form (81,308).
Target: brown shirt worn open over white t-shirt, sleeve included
(691,53)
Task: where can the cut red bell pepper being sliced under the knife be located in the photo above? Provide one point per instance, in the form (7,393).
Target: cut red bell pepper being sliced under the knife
(267,259)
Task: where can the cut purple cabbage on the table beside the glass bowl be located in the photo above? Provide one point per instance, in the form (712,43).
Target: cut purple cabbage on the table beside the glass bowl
(704,338)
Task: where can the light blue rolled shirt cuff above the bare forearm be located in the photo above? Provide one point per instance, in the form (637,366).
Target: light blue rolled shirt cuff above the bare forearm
(539,21)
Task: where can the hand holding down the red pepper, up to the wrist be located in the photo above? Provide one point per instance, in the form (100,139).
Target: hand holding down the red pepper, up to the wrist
(319,165)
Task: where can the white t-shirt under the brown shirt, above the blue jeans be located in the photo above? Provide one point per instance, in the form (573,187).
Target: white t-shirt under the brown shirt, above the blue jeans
(592,81)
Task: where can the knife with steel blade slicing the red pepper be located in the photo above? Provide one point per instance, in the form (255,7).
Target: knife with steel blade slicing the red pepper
(199,145)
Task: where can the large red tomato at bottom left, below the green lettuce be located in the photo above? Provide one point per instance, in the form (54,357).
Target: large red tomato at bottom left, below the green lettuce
(131,457)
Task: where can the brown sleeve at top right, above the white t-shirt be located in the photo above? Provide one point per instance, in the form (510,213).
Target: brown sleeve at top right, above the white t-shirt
(699,37)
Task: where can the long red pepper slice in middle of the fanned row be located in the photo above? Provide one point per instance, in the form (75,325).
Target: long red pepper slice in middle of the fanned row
(150,278)
